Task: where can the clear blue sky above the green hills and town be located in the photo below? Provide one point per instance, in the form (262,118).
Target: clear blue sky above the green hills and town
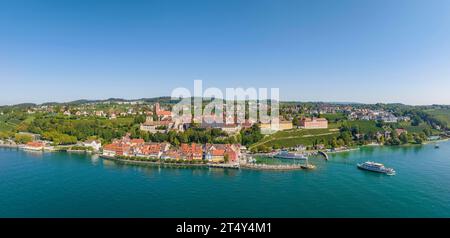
(334,50)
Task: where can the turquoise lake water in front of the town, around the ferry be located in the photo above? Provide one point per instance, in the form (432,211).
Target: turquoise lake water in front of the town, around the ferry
(34,184)
